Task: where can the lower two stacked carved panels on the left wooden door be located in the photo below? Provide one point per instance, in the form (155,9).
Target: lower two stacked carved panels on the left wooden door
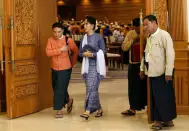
(26,78)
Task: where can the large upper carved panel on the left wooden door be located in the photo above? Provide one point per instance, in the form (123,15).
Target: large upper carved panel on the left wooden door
(25,21)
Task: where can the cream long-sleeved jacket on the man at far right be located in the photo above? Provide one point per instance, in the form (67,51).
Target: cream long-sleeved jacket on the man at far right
(160,54)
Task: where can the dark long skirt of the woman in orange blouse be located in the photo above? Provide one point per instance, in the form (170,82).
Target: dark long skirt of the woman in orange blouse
(60,82)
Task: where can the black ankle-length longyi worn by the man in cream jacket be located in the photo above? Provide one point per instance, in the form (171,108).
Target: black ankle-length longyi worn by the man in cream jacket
(163,106)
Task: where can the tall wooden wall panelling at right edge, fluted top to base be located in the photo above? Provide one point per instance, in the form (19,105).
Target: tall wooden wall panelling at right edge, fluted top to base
(177,27)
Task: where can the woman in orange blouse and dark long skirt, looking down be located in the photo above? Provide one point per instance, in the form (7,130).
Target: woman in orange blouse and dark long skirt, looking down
(61,66)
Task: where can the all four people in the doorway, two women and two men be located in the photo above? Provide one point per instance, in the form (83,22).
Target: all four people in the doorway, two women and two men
(157,64)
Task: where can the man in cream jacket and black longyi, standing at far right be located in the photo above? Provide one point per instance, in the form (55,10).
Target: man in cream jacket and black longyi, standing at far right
(159,60)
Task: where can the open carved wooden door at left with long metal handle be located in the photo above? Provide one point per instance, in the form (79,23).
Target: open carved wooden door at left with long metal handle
(22,64)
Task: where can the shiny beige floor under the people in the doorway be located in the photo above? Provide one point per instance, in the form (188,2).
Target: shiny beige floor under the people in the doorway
(114,100)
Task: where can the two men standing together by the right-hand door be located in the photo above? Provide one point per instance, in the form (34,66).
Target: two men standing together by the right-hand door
(157,64)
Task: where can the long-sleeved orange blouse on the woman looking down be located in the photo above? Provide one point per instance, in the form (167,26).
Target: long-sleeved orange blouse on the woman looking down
(60,60)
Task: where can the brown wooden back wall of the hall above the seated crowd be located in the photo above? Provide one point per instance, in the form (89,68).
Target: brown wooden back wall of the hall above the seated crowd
(115,10)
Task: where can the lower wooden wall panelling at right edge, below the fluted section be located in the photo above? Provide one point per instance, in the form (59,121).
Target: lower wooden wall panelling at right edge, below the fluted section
(181,84)
